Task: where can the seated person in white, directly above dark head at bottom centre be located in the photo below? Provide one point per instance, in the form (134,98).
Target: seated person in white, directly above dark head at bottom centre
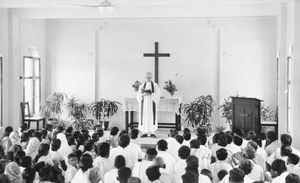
(139,169)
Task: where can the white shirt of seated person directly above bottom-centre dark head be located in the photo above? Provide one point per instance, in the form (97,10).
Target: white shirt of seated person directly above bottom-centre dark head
(139,170)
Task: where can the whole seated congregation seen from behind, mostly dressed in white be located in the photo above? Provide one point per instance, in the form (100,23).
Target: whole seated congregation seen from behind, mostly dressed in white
(67,156)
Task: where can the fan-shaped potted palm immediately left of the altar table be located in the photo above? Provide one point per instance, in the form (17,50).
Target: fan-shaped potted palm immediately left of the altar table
(103,110)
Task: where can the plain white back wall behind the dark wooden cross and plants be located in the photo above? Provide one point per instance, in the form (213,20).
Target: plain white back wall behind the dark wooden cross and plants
(72,55)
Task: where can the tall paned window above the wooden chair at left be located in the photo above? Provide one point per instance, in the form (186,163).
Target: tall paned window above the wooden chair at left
(32,83)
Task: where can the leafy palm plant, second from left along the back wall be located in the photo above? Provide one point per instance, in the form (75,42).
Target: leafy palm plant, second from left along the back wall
(78,112)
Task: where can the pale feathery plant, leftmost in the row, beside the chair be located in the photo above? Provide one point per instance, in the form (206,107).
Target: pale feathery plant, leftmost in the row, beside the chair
(52,107)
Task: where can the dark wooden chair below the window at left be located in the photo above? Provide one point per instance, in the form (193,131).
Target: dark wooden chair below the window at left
(27,117)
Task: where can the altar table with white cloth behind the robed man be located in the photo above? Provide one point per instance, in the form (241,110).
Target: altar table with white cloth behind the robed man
(170,105)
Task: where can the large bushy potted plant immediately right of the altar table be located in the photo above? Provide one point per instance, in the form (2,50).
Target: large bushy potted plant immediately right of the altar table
(199,111)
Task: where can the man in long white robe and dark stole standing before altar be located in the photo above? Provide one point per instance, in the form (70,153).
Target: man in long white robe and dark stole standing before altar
(148,97)
